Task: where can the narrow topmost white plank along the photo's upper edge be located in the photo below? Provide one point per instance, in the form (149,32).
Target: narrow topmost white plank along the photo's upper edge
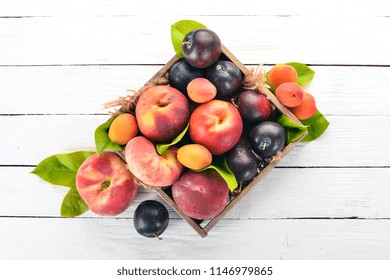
(176,7)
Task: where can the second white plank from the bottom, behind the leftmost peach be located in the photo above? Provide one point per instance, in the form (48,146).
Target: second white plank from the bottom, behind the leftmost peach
(325,193)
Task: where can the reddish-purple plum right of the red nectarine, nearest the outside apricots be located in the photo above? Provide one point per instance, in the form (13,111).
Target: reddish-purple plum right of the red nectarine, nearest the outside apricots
(253,106)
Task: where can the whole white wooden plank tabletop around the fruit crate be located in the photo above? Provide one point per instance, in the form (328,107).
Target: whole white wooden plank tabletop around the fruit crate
(329,199)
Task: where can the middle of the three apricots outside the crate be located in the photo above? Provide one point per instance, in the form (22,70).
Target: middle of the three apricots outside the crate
(290,94)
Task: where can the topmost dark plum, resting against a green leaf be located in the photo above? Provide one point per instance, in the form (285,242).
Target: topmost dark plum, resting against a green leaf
(201,47)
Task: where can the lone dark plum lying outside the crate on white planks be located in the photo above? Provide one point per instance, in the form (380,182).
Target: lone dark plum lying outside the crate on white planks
(151,218)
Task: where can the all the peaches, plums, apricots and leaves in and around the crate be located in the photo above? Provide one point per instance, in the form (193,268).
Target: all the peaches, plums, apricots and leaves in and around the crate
(202,136)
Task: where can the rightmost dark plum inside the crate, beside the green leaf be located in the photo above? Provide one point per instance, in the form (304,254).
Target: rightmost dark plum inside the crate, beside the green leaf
(267,139)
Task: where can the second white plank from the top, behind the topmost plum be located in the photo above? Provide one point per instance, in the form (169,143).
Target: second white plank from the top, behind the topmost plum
(135,40)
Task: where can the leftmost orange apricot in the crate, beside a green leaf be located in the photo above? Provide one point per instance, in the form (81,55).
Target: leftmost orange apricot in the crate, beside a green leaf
(123,129)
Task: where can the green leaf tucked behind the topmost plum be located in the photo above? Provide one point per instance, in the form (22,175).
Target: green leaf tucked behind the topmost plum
(179,30)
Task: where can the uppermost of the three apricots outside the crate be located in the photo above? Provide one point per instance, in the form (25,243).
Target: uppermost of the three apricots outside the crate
(281,73)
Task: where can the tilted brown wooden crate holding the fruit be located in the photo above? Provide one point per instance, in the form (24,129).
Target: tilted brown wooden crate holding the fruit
(195,224)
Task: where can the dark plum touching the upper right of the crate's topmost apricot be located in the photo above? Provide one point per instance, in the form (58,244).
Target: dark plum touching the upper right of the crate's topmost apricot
(226,77)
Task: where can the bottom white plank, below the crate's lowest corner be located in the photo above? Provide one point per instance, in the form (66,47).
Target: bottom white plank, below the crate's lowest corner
(256,239)
